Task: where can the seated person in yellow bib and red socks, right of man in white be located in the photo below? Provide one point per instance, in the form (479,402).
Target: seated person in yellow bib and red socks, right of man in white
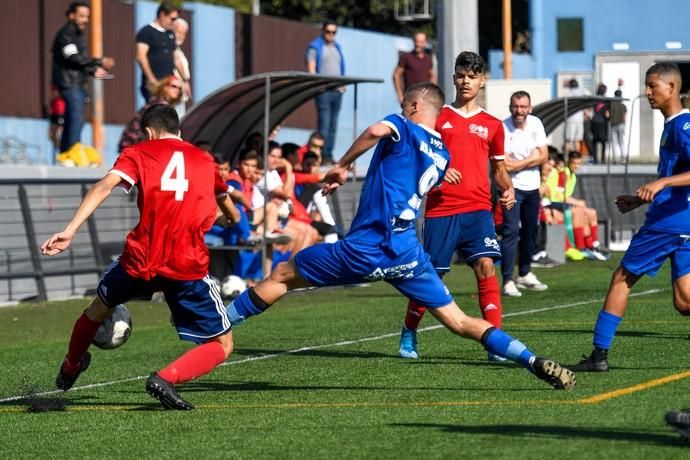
(561,185)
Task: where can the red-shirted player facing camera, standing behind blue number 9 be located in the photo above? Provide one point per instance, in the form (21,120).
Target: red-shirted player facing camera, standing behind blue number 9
(458,216)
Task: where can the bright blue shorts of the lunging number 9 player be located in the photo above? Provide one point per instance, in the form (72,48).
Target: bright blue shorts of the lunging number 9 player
(352,262)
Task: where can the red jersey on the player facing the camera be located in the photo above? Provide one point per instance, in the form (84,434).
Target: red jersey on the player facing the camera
(472,139)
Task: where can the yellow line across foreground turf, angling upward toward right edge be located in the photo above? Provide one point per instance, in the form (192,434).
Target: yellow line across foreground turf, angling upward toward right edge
(596,399)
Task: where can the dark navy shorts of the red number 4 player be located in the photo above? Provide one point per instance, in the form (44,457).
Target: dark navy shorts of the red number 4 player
(197,308)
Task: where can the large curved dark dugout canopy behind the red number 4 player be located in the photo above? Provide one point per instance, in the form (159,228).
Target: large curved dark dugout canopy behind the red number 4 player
(226,117)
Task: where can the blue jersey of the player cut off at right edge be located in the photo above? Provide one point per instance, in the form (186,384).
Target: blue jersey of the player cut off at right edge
(670,209)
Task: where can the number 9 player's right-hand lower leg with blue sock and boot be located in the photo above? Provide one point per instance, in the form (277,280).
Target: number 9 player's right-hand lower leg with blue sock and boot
(498,342)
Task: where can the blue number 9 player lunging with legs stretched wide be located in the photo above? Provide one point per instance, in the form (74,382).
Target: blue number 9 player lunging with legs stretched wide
(382,244)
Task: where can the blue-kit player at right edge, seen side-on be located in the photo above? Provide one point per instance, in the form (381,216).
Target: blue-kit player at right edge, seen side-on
(666,230)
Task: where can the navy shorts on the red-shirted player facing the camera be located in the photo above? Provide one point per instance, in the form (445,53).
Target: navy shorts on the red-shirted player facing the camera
(473,233)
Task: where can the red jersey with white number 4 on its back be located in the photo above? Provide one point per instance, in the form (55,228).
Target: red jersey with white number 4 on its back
(178,185)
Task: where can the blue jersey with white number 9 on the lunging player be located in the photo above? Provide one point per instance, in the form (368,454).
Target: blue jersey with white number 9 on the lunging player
(403,169)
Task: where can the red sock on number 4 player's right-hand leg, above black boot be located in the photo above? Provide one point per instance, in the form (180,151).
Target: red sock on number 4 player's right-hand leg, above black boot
(196,362)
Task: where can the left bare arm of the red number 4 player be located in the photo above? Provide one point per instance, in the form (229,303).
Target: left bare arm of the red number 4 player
(93,199)
